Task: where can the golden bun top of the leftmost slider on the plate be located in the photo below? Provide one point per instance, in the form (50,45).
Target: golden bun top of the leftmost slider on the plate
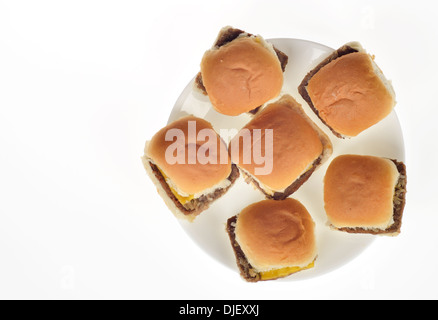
(192,175)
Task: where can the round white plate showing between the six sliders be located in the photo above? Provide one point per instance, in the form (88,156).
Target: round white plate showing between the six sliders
(335,248)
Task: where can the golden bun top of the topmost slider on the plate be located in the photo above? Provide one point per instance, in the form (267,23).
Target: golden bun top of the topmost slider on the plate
(241,75)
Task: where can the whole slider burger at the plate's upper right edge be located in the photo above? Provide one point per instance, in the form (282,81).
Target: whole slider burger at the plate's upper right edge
(348,91)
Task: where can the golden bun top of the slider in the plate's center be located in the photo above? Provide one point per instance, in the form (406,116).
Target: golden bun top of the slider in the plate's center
(296,143)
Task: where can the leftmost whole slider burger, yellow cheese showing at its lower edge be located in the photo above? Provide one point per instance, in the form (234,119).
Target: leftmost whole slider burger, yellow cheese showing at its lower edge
(188,173)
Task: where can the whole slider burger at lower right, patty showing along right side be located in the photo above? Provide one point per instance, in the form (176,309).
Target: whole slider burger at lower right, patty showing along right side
(365,194)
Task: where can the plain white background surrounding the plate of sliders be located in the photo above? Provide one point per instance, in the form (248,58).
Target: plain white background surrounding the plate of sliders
(83,84)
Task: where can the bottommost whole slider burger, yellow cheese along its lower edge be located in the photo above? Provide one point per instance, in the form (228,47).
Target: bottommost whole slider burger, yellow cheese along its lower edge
(272,239)
